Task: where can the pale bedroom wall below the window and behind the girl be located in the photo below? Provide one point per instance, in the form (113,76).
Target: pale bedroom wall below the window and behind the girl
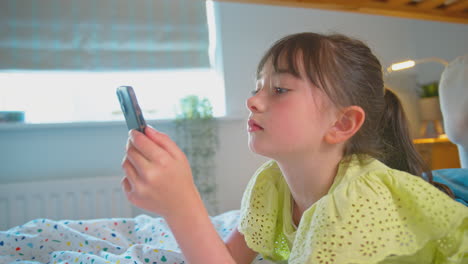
(245,32)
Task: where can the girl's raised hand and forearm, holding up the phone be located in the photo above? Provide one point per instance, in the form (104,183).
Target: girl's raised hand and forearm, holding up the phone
(159,179)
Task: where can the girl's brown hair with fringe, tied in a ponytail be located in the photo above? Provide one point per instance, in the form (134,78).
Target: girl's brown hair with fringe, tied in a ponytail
(350,74)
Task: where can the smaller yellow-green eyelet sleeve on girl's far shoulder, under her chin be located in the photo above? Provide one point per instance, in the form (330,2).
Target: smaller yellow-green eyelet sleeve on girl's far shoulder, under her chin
(263,209)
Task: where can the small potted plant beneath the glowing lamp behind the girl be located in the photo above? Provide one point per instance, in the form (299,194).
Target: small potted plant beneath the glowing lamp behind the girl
(429,107)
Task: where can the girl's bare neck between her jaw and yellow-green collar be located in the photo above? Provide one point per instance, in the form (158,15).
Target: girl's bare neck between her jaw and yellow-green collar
(309,179)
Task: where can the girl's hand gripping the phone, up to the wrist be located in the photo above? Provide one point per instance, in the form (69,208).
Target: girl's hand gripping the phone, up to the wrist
(158,175)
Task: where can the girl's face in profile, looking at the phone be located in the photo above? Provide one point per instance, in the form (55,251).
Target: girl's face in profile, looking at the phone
(288,115)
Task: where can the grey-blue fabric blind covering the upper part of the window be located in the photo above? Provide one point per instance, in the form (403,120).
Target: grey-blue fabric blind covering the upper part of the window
(103,35)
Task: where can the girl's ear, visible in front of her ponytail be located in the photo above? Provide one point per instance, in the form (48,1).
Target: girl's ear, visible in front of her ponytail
(349,121)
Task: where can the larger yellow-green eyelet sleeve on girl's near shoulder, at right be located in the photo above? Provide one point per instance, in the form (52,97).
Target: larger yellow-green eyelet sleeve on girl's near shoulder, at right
(383,216)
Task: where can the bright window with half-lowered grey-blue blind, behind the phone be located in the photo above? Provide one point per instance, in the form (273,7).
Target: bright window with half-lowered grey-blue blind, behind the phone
(162,52)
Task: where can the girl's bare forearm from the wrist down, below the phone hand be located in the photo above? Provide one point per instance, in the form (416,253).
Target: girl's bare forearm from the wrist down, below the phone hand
(196,235)
